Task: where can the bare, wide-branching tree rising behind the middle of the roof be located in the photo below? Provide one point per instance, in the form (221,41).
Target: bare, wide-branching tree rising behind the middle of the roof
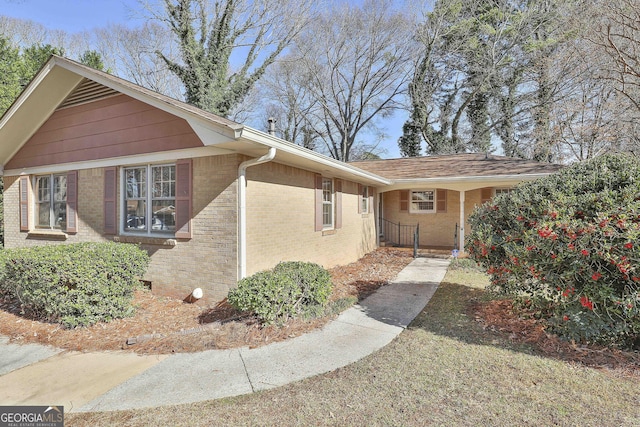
(354,62)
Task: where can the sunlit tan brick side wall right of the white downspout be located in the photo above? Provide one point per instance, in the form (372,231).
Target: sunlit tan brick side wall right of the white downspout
(281,218)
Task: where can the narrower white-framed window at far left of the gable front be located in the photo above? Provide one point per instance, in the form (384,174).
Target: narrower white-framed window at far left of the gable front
(51,201)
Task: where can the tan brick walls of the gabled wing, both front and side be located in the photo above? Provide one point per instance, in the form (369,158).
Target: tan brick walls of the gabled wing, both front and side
(280,226)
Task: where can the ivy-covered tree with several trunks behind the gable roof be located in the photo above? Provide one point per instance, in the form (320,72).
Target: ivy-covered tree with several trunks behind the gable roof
(211,38)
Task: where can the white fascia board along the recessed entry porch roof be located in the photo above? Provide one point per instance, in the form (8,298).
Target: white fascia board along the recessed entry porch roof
(462,183)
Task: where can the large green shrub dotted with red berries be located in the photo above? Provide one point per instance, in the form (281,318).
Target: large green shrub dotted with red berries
(567,246)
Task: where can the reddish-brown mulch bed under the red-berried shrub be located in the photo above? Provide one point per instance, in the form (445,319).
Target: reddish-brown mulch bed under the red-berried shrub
(500,316)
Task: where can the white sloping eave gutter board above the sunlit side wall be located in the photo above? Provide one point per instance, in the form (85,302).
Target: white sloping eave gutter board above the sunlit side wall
(306,154)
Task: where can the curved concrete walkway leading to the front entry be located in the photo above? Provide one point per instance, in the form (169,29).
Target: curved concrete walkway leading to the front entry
(107,381)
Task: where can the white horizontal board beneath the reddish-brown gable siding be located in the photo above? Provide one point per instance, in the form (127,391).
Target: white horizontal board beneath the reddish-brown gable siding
(140,159)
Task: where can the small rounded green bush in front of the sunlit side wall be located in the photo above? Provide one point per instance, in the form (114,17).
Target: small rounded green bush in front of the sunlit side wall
(289,290)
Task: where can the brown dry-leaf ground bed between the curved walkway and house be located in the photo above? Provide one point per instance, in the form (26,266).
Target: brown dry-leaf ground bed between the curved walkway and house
(162,325)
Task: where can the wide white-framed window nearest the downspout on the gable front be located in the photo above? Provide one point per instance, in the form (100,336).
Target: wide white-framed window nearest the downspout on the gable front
(149,199)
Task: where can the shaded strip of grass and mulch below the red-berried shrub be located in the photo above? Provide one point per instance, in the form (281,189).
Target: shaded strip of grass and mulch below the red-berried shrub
(467,315)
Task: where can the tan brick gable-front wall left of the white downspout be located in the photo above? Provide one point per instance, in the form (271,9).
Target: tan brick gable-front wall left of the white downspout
(208,260)
